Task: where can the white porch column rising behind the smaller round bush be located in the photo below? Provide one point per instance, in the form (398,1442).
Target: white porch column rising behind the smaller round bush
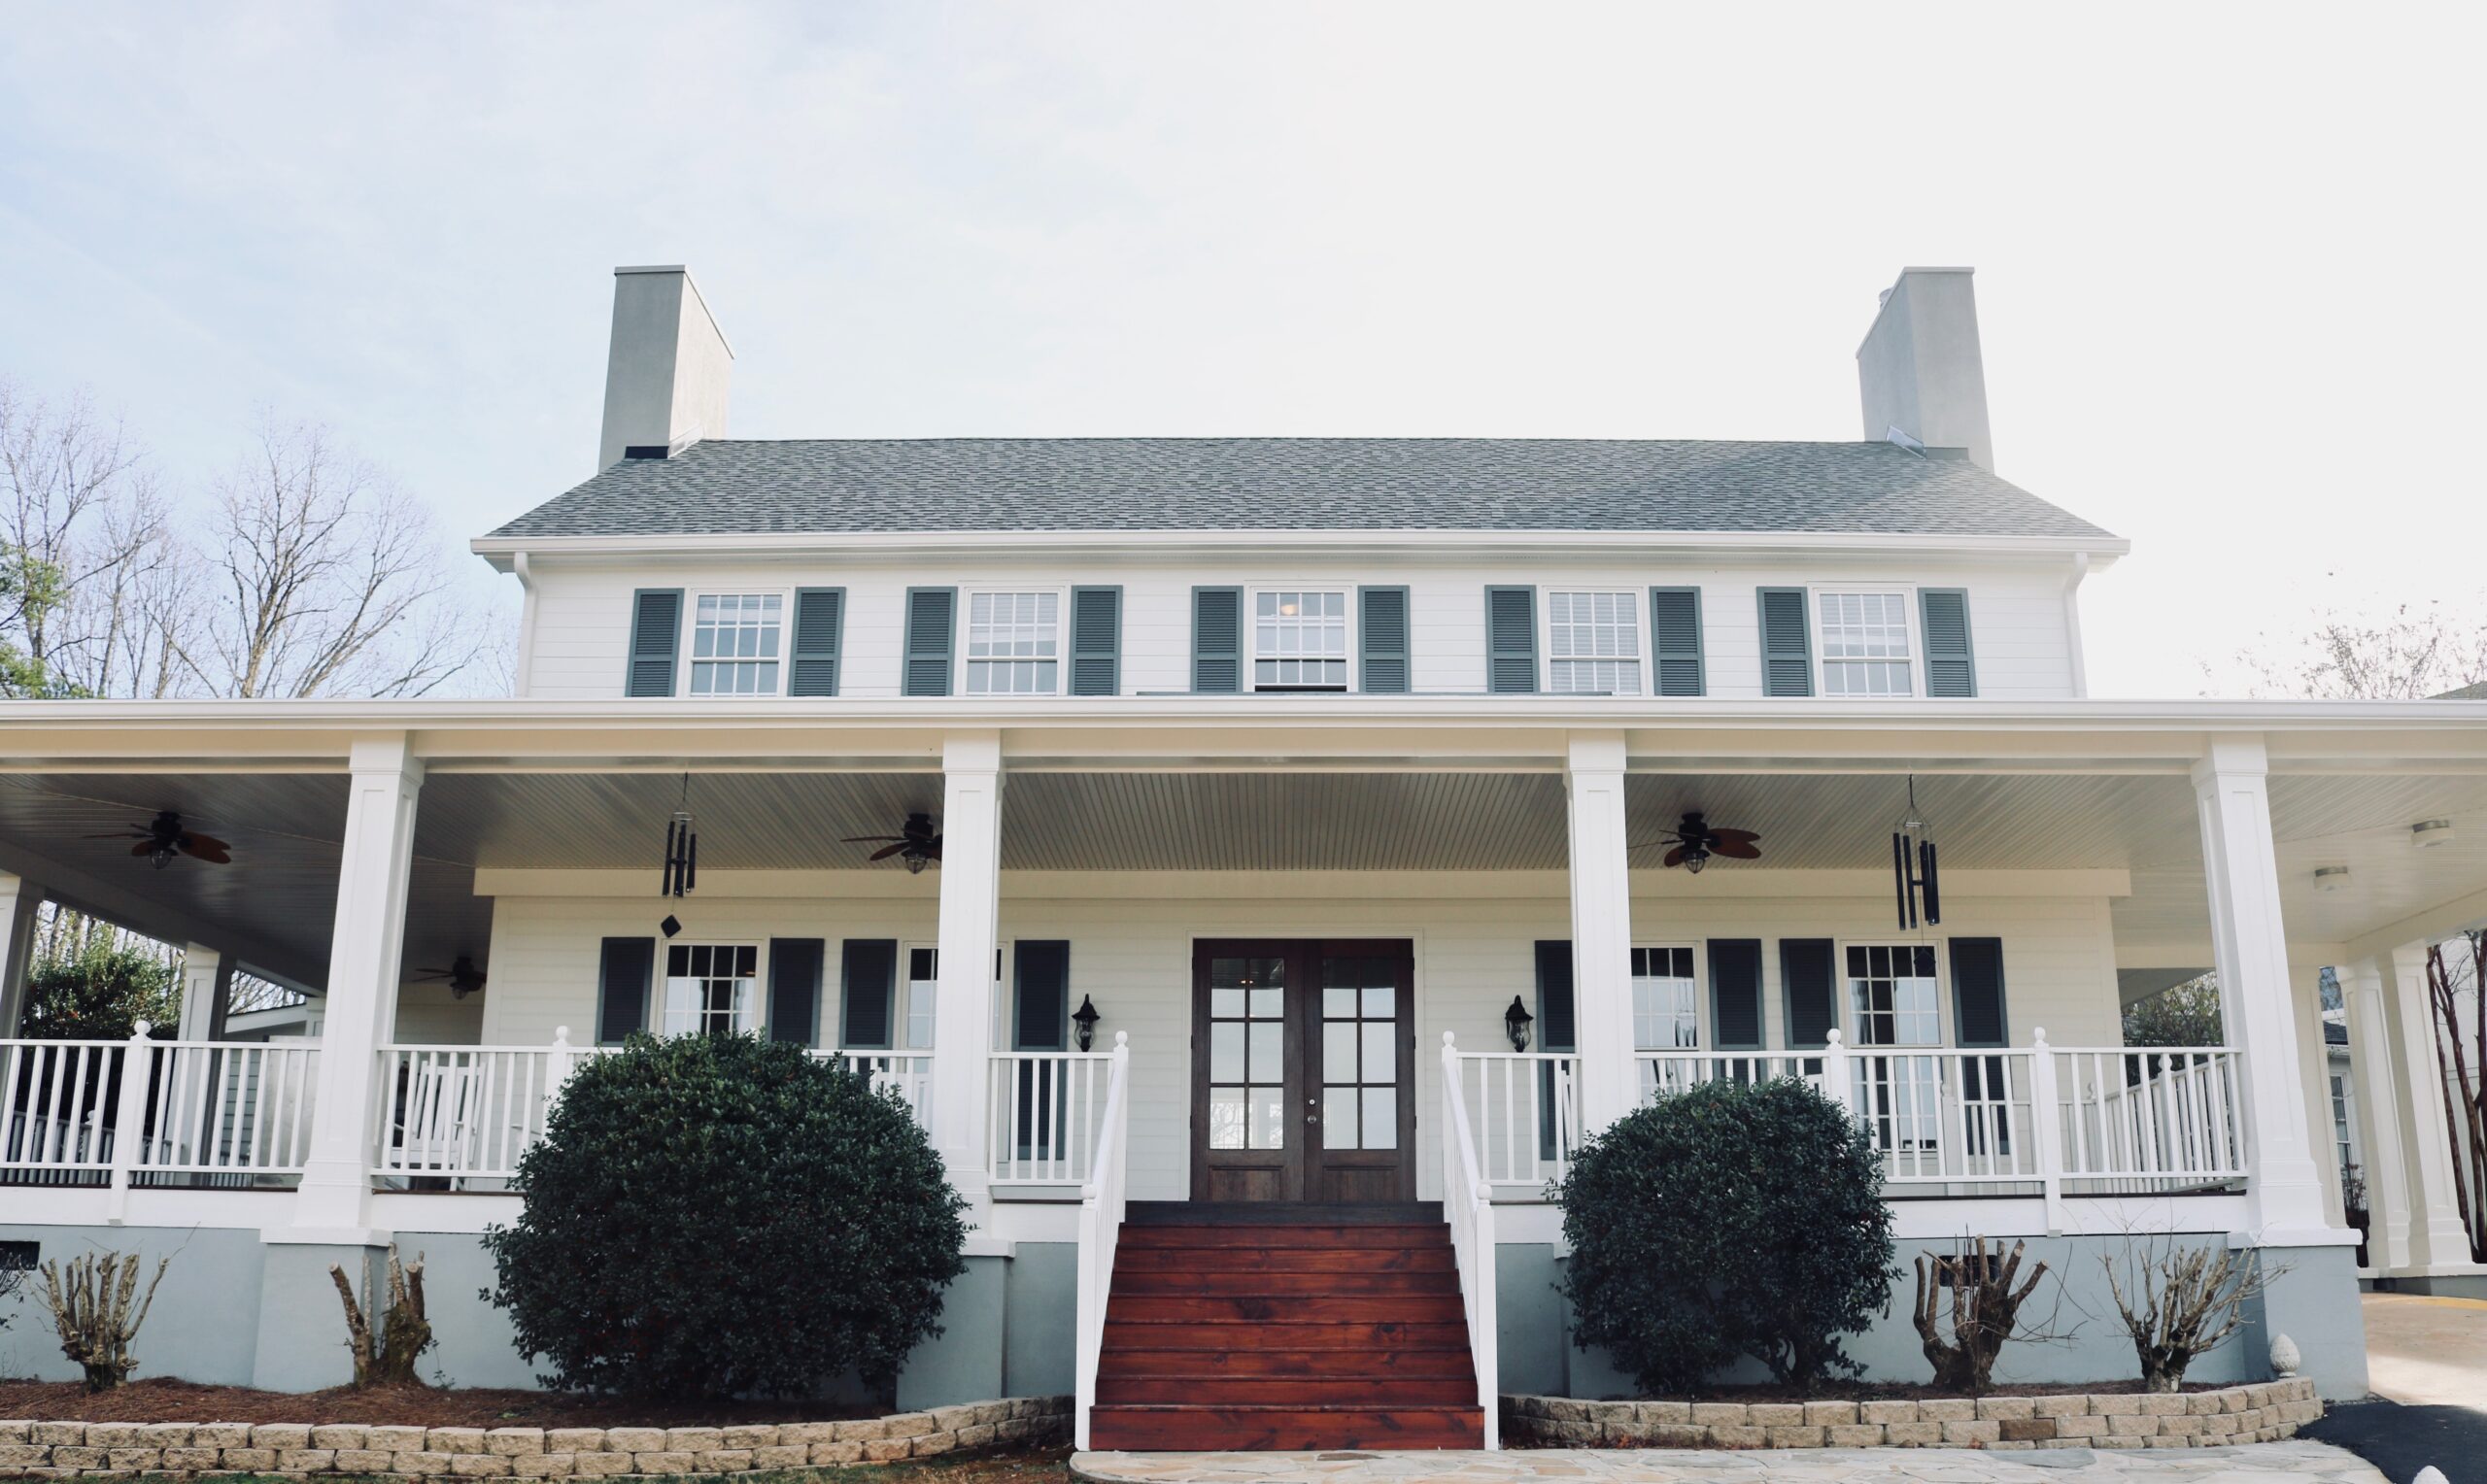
(1600,928)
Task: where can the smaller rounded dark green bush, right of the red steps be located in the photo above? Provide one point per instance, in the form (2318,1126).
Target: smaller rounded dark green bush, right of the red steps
(1730,1219)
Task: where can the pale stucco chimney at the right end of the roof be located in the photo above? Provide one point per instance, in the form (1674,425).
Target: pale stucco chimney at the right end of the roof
(1921,372)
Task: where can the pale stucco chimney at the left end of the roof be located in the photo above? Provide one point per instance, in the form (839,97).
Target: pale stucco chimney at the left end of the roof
(665,382)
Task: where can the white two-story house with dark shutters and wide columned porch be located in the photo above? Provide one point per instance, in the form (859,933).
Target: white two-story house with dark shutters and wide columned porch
(1272,834)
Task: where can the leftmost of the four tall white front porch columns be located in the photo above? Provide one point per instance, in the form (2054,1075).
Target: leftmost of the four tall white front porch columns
(362,988)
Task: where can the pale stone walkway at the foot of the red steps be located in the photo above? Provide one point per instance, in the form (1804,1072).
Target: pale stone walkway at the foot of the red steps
(2262,1463)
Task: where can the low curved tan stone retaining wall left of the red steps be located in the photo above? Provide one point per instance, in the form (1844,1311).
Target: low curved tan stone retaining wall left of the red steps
(46,1450)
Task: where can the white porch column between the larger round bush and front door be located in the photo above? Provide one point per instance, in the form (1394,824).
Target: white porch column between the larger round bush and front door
(971,904)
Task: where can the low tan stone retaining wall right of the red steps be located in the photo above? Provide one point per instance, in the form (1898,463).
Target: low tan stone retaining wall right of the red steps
(2113,1421)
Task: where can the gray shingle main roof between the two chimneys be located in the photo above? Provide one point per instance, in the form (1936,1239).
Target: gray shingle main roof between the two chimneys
(1294,483)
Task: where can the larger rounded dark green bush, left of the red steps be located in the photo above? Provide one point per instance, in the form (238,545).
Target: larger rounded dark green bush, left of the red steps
(725,1217)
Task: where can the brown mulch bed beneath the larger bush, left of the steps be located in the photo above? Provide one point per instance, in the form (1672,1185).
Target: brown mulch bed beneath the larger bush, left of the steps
(168,1401)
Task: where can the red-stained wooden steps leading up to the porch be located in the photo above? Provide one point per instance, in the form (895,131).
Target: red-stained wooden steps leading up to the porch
(1285,1329)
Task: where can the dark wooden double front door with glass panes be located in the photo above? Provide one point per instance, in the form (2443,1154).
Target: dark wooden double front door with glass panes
(1302,1070)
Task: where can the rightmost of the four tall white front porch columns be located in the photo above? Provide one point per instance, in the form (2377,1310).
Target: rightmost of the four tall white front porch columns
(2284,1194)
